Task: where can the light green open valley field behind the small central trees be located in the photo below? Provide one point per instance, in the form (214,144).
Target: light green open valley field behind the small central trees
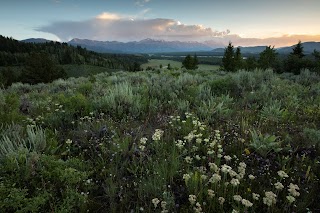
(155,63)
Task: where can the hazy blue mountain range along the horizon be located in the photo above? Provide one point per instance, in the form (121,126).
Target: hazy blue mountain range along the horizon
(161,46)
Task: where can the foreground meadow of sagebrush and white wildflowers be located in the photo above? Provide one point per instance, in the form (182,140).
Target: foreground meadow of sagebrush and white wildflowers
(162,141)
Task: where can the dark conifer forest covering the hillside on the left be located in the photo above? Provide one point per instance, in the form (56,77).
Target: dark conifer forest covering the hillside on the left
(15,53)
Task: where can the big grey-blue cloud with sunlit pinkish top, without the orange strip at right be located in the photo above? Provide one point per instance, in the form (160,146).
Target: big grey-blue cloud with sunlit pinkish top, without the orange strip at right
(109,26)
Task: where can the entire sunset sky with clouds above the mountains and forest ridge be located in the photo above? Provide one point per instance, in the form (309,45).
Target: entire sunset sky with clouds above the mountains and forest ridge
(243,22)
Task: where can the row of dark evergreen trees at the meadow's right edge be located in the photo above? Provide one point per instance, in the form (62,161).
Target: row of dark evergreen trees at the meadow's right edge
(293,63)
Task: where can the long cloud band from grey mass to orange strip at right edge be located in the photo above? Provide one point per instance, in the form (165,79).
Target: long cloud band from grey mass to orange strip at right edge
(114,27)
